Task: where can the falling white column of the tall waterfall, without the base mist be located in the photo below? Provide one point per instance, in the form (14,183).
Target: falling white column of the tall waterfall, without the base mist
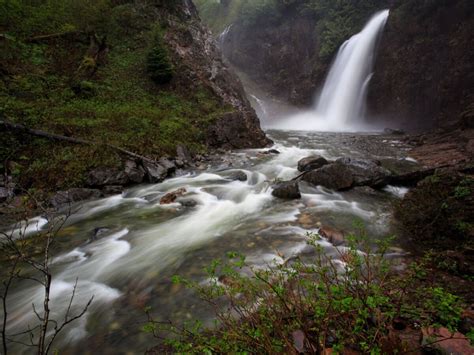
(344,90)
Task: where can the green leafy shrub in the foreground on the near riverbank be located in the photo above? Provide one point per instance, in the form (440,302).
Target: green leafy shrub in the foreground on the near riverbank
(351,301)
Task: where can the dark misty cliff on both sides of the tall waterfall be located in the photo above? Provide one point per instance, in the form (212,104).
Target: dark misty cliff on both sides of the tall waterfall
(424,64)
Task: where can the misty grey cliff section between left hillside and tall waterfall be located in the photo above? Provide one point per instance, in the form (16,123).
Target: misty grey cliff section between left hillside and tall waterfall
(282,56)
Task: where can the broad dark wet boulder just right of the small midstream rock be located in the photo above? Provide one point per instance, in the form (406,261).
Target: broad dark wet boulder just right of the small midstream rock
(333,176)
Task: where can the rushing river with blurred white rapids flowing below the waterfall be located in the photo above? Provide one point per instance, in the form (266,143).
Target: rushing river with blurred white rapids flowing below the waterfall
(128,264)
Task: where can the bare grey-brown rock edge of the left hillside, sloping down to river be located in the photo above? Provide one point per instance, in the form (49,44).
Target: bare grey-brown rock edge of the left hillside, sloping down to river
(199,62)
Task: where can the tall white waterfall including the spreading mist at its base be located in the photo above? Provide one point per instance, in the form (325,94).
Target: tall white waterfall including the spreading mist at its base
(341,103)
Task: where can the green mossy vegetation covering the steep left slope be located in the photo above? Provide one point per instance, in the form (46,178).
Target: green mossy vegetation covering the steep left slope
(96,70)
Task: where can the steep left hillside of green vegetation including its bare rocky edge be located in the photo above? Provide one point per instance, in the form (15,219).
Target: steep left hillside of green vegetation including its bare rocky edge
(145,76)
